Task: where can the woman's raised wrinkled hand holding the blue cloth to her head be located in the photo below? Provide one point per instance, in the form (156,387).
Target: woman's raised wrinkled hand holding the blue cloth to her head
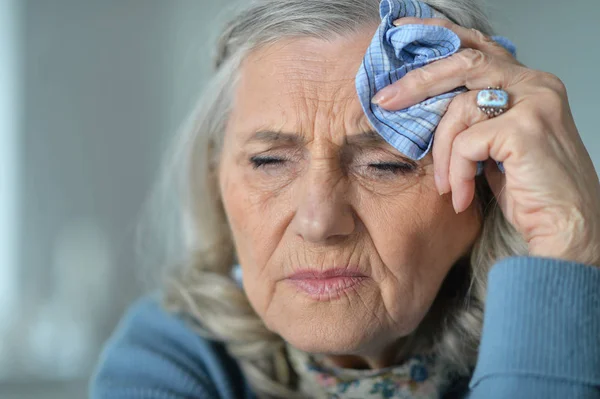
(550,190)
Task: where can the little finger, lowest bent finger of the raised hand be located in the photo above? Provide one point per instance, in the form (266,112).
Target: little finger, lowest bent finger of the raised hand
(478,143)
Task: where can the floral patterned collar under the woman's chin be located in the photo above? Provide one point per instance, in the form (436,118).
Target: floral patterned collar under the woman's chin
(414,379)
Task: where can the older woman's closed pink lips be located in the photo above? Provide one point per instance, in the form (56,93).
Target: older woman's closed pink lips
(326,285)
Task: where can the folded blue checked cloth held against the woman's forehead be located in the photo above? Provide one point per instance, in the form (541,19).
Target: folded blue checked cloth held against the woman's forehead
(395,51)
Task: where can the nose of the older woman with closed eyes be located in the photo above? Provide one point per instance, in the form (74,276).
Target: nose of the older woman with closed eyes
(323,211)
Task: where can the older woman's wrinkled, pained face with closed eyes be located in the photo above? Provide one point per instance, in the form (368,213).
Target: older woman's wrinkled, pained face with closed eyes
(343,241)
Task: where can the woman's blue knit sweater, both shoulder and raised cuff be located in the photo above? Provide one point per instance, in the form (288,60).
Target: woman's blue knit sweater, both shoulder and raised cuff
(541,339)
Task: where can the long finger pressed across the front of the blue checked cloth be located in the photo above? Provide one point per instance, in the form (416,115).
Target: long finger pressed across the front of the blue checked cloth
(471,68)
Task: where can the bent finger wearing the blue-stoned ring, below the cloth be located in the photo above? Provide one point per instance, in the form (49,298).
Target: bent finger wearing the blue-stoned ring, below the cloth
(461,114)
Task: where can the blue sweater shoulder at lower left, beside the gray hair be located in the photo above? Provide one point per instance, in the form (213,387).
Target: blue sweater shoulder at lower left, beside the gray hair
(154,355)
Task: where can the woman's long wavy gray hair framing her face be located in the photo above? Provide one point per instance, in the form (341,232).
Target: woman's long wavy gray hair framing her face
(202,288)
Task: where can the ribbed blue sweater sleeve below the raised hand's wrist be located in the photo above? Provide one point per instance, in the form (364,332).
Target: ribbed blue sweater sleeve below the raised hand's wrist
(541,331)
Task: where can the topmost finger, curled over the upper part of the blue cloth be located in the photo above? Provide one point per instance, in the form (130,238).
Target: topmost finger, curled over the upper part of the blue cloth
(471,38)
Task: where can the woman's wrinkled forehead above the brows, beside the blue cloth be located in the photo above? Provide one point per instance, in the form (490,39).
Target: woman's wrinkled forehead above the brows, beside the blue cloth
(301,82)
